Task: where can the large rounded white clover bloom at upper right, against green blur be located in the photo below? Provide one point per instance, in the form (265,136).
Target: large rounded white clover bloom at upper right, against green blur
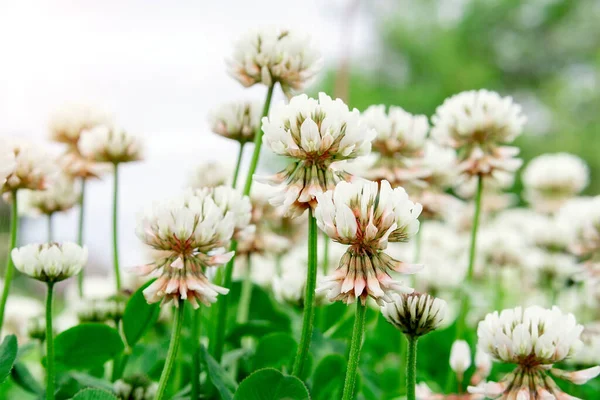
(478,123)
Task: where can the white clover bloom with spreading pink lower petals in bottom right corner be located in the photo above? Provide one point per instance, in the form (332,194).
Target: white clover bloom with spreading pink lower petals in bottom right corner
(534,338)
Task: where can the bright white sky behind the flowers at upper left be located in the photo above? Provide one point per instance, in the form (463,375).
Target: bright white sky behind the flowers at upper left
(157,67)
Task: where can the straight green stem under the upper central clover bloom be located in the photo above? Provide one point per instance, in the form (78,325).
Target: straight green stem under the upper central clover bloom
(309,297)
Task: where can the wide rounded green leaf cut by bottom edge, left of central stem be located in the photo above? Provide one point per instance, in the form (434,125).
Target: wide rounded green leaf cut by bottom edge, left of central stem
(270,384)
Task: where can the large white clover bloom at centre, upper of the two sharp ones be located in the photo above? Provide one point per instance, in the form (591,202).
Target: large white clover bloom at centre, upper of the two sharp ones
(314,134)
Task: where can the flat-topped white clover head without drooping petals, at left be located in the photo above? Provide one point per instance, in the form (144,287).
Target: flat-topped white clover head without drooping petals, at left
(50,262)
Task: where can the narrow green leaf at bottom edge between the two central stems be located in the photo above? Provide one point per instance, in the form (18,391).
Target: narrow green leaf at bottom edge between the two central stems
(328,378)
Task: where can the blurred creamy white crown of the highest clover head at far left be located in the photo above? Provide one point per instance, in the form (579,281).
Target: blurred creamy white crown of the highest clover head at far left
(68,123)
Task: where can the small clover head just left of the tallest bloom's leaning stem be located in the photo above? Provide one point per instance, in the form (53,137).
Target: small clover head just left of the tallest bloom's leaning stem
(238,121)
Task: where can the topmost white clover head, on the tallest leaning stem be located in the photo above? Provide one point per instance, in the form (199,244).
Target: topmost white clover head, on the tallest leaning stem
(272,55)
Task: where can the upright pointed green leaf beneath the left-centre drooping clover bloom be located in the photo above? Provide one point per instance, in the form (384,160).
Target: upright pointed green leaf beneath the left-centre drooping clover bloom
(139,316)
